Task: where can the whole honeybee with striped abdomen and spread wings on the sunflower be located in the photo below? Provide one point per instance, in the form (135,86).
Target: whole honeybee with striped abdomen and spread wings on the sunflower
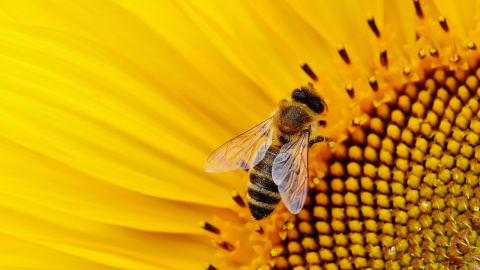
(276,153)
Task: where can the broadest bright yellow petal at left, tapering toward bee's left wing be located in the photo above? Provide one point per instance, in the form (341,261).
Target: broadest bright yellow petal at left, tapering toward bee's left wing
(118,129)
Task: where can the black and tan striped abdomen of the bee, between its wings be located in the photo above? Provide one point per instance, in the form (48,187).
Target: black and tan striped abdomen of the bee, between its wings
(263,195)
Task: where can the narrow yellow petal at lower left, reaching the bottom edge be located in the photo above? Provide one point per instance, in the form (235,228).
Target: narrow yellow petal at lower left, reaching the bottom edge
(105,244)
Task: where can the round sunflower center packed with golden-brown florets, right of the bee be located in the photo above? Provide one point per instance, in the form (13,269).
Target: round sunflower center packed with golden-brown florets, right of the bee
(403,190)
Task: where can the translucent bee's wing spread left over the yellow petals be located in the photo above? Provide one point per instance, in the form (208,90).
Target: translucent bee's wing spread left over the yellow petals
(244,151)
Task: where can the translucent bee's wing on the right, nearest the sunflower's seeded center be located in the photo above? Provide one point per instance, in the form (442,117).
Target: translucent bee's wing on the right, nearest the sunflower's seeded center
(290,173)
